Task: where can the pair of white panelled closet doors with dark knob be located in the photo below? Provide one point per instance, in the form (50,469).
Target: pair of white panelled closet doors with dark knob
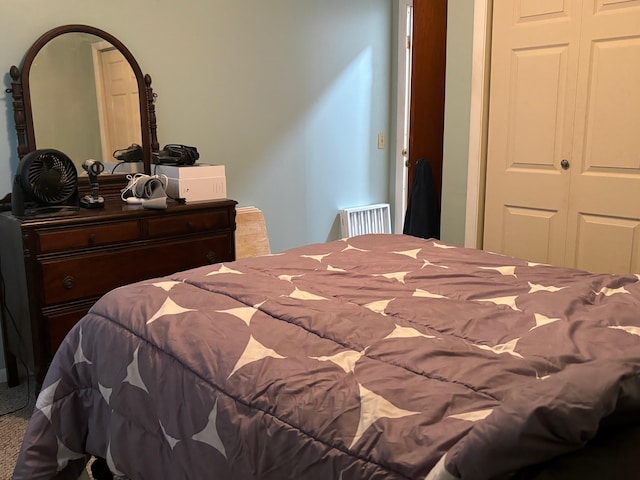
(563,158)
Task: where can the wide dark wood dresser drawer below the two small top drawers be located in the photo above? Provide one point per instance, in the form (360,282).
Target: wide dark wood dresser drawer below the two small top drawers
(84,276)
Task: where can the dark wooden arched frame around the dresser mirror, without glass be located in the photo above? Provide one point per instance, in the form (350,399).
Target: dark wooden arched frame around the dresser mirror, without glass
(23,114)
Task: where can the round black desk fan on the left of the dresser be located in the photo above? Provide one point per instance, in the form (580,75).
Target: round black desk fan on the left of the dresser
(44,178)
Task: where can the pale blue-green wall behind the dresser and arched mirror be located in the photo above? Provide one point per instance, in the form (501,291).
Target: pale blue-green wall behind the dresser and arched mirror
(288,94)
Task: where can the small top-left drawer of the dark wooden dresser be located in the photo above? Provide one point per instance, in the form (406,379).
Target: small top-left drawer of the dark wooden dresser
(87,236)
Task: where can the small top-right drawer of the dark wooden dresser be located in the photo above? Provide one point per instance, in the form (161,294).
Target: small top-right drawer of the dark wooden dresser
(190,223)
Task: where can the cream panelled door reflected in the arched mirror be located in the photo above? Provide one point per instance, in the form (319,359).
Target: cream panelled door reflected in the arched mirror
(118,101)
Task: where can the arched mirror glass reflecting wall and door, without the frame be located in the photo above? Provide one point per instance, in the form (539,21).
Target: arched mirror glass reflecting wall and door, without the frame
(85,100)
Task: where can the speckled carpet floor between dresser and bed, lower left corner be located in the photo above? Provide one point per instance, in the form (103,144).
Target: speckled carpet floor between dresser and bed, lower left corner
(16,406)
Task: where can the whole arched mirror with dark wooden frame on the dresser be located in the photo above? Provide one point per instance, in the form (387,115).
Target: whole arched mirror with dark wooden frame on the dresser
(81,91)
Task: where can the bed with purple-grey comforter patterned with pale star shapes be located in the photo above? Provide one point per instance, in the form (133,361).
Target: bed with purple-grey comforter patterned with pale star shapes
(373,357)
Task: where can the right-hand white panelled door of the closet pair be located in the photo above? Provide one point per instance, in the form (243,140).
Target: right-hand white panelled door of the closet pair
(604,210)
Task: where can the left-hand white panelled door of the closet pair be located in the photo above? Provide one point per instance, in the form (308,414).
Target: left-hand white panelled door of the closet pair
(534,67)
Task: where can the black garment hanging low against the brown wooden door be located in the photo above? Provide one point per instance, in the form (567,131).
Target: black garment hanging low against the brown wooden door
(423,209)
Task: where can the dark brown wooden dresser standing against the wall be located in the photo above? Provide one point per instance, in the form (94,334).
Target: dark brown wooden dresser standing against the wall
(55,267)
